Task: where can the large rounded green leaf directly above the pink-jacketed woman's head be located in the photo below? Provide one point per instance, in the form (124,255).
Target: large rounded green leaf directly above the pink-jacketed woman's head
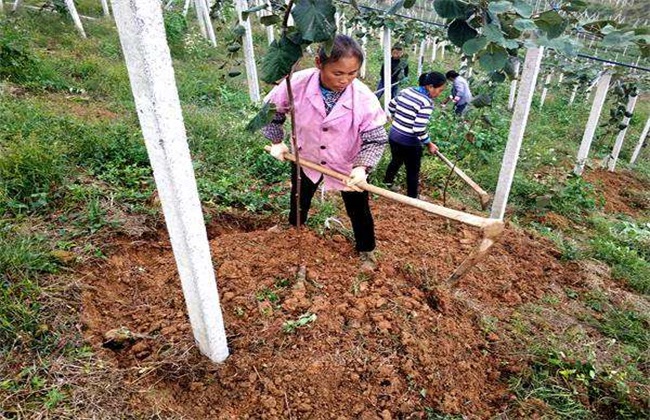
(315,19)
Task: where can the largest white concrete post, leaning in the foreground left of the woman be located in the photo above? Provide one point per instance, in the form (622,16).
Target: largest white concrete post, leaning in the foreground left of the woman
(142,35)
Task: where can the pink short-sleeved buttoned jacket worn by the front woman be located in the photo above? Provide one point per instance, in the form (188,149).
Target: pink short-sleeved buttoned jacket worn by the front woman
(332,140)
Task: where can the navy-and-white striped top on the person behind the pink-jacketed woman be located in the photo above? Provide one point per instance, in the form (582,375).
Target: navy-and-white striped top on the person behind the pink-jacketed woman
(411,110)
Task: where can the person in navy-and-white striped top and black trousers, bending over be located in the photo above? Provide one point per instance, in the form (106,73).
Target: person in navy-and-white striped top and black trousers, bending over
(411,110)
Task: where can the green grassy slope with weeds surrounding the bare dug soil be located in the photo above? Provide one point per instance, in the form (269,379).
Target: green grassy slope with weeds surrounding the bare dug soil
(74,172)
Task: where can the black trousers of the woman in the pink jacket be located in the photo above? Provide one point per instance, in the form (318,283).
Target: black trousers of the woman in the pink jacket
(356,204)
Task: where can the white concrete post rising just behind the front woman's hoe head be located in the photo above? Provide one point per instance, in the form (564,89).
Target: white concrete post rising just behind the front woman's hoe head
(517,128)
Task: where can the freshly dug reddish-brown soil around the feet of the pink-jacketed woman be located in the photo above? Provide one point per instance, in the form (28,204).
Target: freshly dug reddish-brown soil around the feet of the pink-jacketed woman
(394,343)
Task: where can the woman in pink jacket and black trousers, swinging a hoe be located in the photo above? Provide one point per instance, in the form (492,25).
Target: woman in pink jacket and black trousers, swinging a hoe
(340,125)
